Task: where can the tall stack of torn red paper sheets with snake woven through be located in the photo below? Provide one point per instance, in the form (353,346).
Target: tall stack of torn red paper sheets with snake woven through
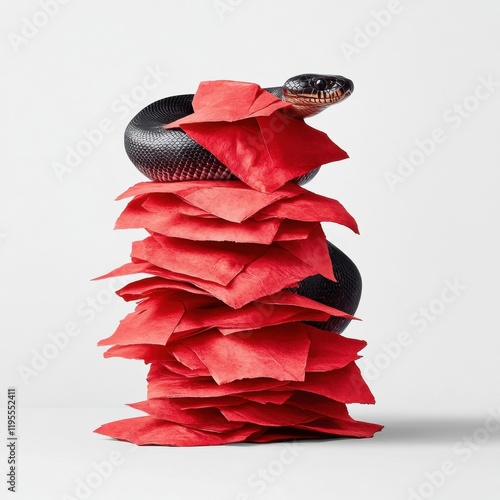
(231,357)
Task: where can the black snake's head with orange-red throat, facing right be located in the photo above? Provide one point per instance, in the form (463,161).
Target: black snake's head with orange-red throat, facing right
(310,93)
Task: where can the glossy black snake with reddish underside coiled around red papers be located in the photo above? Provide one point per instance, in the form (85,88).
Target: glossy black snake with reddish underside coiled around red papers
(170,155)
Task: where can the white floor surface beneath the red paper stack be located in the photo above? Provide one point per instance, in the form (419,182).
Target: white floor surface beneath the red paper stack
(57,452)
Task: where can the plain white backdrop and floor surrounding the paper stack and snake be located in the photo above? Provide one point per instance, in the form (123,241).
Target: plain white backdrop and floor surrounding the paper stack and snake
(438,224)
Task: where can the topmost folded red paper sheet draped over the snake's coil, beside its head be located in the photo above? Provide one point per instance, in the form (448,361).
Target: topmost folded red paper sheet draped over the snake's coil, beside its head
(248,130)
